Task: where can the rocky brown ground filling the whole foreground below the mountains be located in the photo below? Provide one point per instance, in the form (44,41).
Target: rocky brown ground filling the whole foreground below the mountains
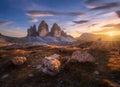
(103,71)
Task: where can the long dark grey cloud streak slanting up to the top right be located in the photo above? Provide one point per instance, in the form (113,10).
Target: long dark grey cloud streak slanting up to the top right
(106,6)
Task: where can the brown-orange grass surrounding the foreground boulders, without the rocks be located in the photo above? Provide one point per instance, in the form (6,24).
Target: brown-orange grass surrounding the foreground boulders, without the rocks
(74,74)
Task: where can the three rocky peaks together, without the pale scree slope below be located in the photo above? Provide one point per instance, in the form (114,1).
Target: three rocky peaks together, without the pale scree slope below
(43,30)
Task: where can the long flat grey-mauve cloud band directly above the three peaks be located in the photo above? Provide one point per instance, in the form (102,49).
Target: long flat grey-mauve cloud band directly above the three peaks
(38,13)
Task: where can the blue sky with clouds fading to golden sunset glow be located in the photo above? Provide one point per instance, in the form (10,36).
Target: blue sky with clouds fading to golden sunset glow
(73,16)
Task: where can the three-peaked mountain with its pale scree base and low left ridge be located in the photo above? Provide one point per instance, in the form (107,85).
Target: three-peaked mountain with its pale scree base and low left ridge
(41,35)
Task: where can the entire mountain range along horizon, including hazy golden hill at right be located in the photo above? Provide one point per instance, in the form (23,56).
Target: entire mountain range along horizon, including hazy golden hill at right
(56,35)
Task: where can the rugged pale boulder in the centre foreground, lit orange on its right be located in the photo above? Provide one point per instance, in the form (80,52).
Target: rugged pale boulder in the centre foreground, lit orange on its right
(50,65)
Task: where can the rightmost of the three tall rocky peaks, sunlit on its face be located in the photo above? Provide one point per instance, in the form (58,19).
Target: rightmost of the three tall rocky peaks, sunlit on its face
(55,30)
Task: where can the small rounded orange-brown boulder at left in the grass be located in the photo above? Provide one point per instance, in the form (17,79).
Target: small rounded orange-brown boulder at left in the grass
(18,60)
